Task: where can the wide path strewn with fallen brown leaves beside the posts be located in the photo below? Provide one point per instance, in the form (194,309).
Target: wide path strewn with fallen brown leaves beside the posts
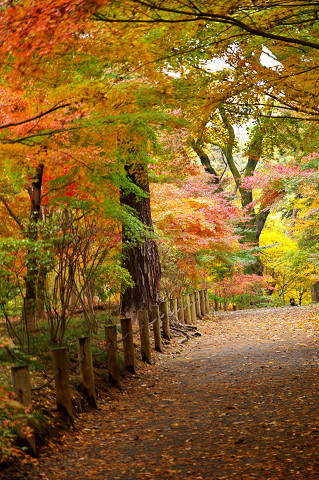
(239,402)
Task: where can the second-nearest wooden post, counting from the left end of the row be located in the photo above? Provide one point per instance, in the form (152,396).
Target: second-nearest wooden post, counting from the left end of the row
(62,385)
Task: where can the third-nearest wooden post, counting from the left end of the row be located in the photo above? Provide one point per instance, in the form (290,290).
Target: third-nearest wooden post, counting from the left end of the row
(86,369)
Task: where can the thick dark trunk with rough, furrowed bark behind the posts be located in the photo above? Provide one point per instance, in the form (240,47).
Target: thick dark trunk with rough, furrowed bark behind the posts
(141,259)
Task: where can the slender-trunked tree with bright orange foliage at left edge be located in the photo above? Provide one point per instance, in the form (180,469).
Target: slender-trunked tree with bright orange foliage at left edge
(56,178)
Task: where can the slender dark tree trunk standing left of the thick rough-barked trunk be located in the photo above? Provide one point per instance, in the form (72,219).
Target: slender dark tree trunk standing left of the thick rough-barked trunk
(29,305)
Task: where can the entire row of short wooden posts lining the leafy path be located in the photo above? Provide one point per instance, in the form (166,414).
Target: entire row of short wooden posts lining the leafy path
(186,308)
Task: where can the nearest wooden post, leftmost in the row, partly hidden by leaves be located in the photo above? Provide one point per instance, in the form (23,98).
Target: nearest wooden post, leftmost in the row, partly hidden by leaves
(22,389)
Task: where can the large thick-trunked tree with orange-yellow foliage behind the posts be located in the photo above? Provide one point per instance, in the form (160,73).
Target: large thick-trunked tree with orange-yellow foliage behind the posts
(114,109)
